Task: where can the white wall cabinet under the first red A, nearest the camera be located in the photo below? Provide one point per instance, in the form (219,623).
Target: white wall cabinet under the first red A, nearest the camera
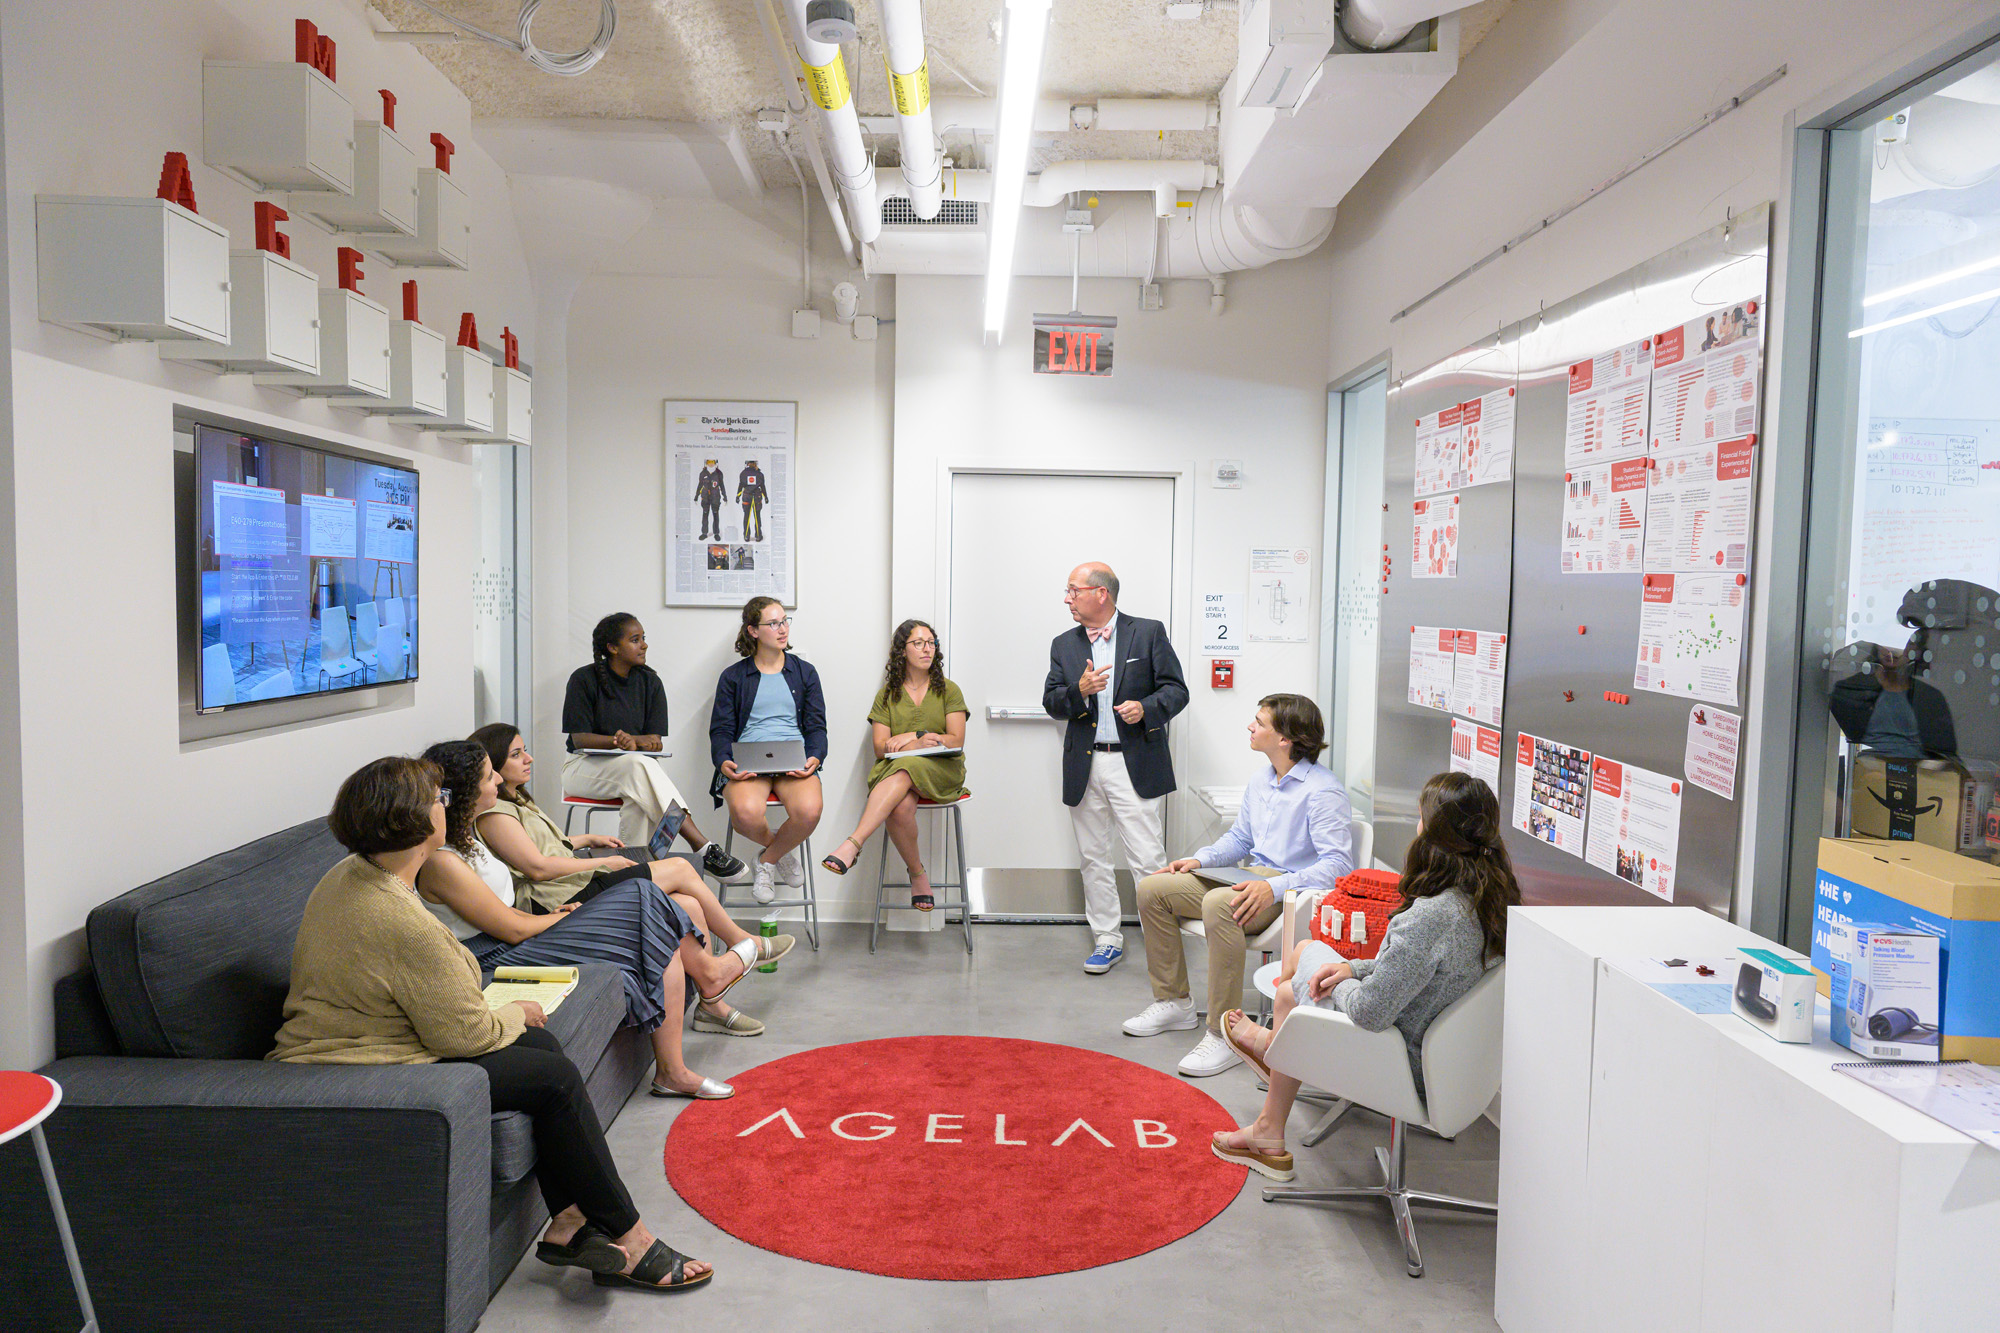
(133,269)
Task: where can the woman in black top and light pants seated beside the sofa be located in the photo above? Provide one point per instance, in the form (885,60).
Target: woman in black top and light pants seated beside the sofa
(619,704)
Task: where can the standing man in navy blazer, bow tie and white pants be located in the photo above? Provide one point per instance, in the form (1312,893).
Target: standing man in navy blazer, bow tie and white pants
(1115,682)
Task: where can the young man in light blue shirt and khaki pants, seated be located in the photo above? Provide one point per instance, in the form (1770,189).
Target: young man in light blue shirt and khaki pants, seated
(1293,834)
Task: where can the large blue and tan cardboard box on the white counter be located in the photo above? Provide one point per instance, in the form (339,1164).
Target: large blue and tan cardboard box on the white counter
(1917,890)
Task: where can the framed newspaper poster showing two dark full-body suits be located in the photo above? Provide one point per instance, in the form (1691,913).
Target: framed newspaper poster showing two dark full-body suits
(731,505)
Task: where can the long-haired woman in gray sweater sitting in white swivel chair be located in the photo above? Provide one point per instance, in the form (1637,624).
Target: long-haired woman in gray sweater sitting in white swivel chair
(1457,886)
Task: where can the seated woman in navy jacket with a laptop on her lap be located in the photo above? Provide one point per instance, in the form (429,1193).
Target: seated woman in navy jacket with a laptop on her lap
(769,696)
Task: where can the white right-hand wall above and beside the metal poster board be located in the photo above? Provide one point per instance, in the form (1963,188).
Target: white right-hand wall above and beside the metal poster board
(1565,95)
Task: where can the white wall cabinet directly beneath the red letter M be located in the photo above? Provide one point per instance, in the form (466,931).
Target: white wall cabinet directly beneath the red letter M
(277,127)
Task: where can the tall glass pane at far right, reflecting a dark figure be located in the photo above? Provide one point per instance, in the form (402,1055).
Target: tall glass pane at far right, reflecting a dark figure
(1901,680)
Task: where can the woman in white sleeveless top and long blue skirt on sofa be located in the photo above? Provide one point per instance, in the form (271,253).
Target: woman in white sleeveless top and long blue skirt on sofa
(655,940)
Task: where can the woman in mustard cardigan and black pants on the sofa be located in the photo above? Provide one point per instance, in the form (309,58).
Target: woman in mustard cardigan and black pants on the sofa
(377,980)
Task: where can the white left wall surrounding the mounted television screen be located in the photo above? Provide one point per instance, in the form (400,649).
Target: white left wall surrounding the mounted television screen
(95,95)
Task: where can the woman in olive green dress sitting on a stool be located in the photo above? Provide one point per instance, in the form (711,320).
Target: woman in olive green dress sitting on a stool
(917,710)
